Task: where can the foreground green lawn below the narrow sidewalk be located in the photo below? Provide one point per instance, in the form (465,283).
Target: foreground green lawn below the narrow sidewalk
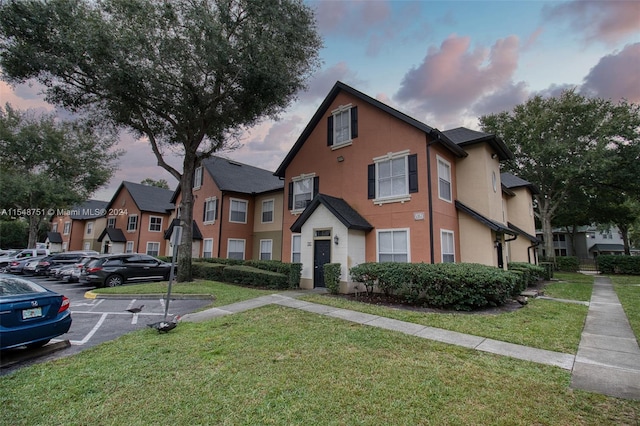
(275,365)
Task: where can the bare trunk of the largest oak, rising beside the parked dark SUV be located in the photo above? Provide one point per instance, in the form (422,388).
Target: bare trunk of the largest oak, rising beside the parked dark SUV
(186,219)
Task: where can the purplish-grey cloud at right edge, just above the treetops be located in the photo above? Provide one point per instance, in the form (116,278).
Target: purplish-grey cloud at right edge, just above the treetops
(616,76)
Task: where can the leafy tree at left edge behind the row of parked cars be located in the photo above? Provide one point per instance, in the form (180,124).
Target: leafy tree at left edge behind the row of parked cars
(49,164)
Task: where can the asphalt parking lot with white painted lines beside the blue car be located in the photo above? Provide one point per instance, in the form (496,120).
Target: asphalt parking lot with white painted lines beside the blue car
(96,321)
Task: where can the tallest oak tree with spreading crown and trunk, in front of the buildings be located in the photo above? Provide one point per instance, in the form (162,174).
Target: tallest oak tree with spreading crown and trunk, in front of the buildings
(181,73)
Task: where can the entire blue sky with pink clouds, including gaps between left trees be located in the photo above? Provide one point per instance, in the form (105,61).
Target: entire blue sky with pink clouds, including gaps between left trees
(445,63)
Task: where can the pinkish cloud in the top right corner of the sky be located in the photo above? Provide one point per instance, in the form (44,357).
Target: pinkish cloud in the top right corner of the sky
(607,21)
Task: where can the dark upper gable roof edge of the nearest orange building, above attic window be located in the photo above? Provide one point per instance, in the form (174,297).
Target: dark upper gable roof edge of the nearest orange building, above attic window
(341,87)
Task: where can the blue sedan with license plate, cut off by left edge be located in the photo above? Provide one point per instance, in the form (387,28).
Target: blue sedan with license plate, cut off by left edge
(30,315)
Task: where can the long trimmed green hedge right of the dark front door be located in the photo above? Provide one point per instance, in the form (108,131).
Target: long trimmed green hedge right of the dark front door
(461,286)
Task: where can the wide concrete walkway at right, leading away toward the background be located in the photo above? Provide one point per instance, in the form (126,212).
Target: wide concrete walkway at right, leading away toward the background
(608,359)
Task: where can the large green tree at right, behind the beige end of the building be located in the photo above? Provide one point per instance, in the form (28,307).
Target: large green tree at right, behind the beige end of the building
(572,146)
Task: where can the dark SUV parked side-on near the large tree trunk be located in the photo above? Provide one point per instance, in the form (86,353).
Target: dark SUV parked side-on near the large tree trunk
(111,270)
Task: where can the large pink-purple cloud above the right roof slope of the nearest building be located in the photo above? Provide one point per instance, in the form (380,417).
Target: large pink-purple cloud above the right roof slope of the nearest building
(452,78)
